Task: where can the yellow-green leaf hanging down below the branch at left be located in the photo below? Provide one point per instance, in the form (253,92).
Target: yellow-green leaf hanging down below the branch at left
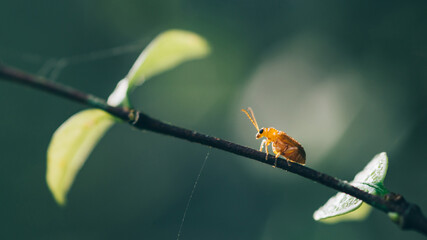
(70,145)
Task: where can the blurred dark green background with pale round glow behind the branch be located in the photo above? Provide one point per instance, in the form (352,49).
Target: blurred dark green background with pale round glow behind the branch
(345,78)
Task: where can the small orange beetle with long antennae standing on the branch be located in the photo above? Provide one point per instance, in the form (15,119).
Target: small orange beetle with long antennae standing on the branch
(282,143)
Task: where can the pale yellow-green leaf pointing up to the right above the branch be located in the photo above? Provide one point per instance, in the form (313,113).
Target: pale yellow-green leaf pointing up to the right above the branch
(165,52)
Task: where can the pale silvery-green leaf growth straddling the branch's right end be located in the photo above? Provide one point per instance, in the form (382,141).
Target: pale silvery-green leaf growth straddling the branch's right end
(343,207)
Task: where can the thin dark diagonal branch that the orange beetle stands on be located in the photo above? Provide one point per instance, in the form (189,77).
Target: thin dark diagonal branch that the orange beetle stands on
(405,214)
